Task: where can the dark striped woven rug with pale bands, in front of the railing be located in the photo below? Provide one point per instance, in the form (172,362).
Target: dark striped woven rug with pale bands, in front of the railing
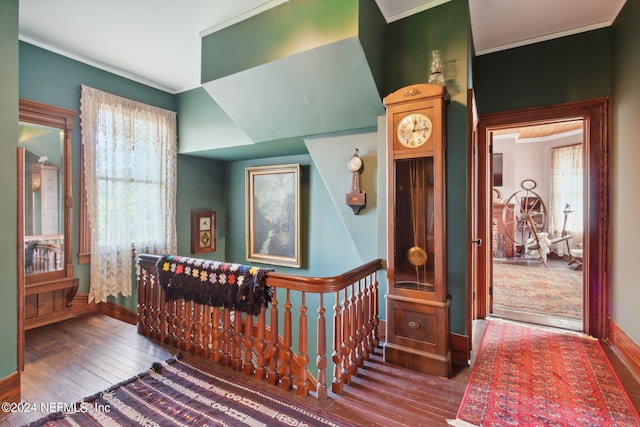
(174,393)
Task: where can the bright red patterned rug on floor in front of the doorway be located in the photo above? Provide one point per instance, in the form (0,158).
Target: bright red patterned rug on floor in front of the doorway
(529,376)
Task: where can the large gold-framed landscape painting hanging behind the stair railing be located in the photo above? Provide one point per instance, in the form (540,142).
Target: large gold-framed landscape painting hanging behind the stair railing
(273,214)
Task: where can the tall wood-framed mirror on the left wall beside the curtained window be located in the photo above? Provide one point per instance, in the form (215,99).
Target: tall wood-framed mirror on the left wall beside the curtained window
(45,139)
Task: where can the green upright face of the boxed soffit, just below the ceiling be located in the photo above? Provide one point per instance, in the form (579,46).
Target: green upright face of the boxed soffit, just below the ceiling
(285,30)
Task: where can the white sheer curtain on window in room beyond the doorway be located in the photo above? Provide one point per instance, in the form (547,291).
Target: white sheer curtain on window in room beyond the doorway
(567,189)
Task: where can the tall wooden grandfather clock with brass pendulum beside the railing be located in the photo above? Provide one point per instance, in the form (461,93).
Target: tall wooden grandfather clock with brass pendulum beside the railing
(417,303)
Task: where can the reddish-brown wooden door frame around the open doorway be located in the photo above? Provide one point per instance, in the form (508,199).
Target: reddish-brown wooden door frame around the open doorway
(595,114)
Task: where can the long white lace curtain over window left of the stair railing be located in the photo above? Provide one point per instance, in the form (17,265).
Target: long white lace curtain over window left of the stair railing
(130,153)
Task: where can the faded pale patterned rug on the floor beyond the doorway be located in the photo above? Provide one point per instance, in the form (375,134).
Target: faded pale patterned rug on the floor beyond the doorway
(538,290)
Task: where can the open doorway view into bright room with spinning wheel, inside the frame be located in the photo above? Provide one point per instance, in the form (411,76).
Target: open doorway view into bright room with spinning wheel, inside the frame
(537,217)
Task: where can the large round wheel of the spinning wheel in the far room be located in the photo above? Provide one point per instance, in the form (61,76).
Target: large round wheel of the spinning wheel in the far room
(515,215)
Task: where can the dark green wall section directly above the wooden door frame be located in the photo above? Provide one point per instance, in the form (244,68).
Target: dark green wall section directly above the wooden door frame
(568,69)
